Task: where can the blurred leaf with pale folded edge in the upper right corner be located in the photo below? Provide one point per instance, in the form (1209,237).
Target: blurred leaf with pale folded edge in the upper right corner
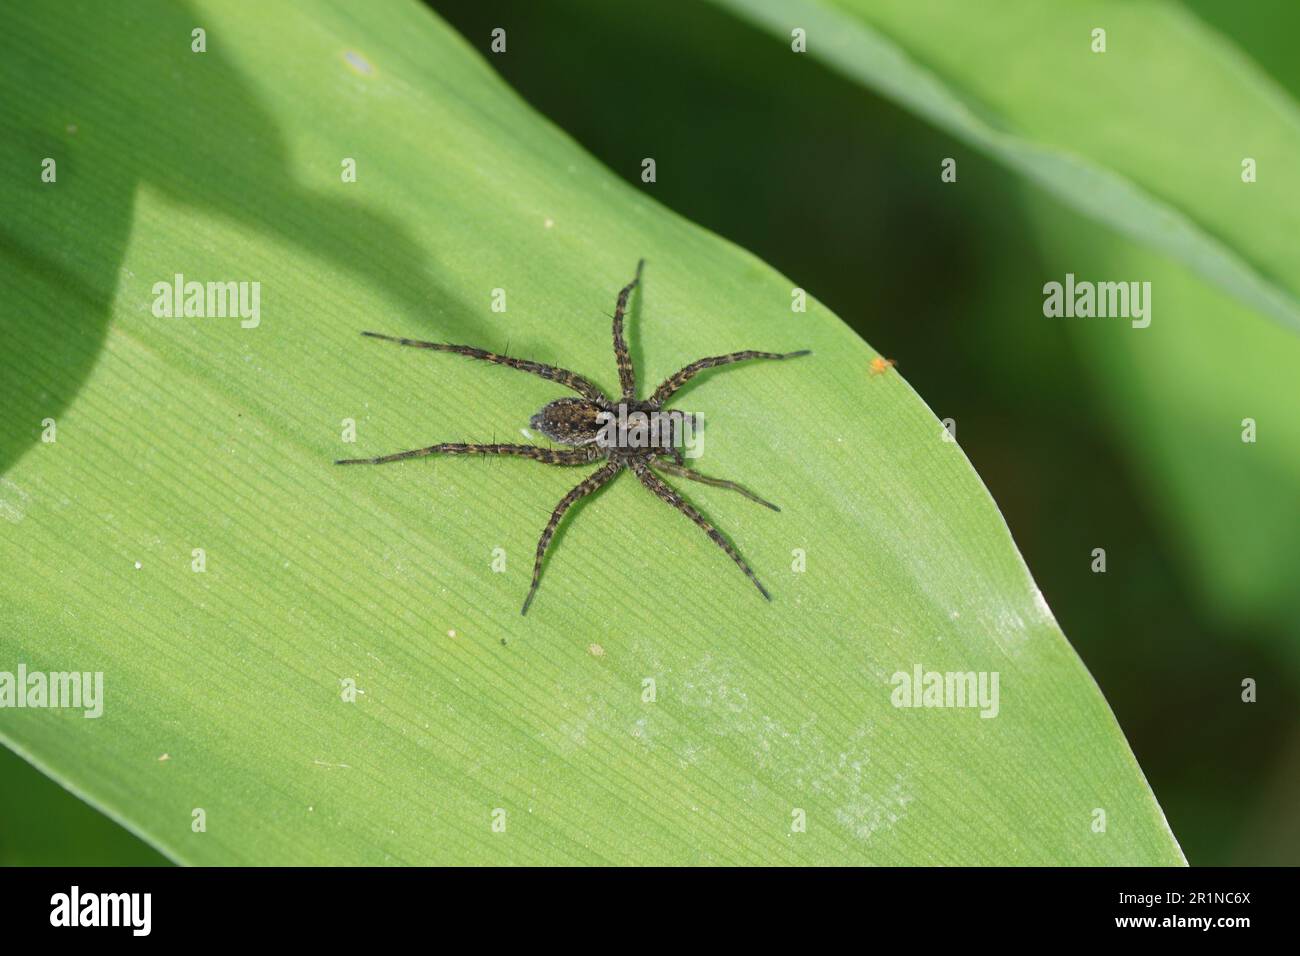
(1149,137)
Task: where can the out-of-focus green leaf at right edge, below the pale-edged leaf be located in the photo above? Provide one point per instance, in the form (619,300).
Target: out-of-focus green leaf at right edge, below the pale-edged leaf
(1204,404)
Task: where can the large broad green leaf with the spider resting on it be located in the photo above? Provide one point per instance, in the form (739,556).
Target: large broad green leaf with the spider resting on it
(224,691)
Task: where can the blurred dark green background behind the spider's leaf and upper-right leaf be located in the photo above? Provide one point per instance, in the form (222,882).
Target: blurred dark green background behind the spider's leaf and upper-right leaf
(1081,431)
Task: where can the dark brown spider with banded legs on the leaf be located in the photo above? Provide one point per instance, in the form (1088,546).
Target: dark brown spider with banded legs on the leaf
(583,426)
